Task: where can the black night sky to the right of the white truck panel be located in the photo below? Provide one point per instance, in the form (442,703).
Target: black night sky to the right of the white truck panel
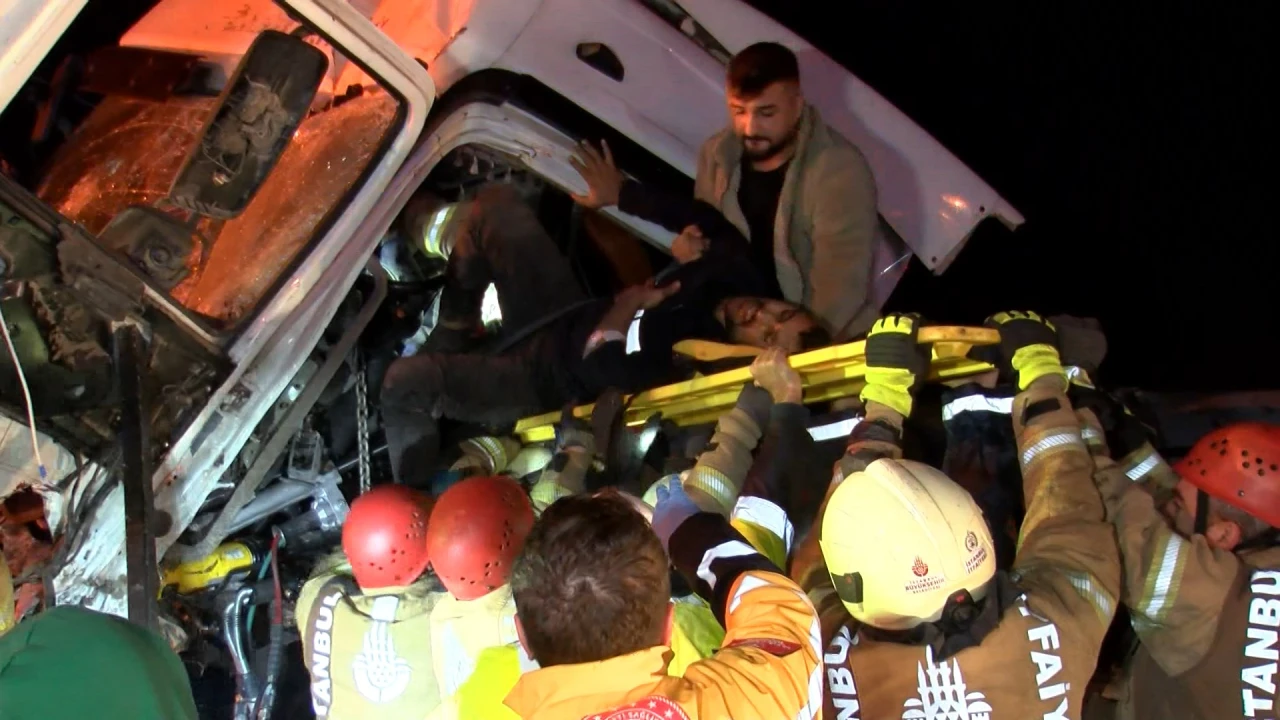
(1139,148)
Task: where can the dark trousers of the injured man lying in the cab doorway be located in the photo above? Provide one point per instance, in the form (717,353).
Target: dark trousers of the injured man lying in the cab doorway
(500,241)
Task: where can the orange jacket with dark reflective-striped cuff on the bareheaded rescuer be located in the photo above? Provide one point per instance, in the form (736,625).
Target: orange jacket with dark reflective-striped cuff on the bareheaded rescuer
(766,668)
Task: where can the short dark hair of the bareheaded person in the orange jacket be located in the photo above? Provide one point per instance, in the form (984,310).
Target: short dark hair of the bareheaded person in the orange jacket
(592,582)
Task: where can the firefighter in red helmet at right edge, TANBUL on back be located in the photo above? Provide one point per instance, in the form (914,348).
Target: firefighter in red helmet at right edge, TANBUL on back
(1203,576)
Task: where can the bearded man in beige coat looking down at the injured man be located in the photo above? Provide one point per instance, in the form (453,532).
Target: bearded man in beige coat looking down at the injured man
(802,194)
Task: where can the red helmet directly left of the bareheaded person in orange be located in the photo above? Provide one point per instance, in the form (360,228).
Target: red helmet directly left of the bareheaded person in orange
(478,528)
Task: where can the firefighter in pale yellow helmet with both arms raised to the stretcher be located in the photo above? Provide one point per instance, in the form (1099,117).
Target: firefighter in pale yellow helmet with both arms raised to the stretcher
(917,619)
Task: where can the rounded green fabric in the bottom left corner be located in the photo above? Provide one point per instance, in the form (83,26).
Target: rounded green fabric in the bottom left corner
(74,663)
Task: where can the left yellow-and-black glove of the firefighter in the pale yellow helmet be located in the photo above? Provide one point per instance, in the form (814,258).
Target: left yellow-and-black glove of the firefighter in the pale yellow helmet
(897,363)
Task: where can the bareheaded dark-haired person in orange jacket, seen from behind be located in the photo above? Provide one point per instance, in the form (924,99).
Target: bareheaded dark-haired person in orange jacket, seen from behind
(593,601)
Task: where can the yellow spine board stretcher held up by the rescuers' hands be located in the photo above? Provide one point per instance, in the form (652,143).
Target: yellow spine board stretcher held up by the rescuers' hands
(829,373)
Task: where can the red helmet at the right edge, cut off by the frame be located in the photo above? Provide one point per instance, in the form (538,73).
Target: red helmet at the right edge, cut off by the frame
(1240,466)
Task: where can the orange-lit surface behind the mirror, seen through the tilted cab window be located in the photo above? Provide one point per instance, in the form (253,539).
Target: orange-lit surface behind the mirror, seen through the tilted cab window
(129,152)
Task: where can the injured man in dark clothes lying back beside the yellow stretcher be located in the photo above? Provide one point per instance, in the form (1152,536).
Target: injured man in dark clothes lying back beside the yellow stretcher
(568,347)
